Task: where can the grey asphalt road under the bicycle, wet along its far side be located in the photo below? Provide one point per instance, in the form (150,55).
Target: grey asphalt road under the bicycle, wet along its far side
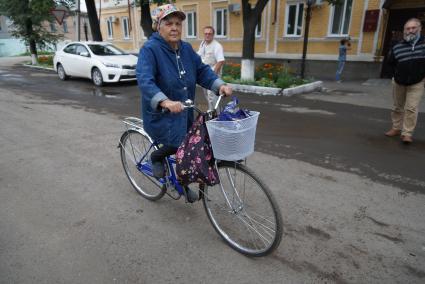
(352,200)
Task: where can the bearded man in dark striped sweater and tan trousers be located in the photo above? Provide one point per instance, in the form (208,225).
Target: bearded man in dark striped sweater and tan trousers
(408,61)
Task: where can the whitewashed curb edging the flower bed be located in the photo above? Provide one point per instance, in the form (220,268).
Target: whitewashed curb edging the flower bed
(269,91)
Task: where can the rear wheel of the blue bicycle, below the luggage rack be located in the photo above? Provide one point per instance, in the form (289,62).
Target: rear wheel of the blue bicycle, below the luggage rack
(135,157)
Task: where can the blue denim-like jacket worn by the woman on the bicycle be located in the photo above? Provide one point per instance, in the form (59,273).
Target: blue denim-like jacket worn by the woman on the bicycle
(162,73)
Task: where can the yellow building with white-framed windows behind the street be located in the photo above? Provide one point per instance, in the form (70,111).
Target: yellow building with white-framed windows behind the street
(371,25)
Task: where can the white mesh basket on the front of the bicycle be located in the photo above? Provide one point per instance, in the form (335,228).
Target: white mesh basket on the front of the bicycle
(233,140)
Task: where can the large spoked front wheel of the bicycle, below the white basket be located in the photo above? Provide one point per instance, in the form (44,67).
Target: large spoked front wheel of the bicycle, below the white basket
(243,211)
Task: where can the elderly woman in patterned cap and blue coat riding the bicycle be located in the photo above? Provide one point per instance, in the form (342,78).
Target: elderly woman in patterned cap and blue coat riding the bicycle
(168,70)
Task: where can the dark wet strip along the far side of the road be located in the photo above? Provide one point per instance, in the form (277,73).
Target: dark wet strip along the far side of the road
(315,128)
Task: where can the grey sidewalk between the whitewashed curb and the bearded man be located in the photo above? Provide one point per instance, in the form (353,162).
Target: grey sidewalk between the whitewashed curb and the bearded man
(373,93)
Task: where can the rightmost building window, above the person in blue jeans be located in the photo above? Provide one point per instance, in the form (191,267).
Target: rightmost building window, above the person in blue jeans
(341,16)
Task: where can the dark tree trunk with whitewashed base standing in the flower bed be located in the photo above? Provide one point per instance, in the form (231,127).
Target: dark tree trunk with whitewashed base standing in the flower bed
(250,15)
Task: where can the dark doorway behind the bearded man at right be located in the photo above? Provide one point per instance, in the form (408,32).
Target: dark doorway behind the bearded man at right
(394,33)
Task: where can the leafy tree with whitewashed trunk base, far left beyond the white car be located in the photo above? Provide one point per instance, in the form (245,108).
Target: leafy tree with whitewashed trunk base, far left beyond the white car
(27,18)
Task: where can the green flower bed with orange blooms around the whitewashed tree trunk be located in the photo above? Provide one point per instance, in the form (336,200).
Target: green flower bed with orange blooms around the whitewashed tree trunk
(266,75)
